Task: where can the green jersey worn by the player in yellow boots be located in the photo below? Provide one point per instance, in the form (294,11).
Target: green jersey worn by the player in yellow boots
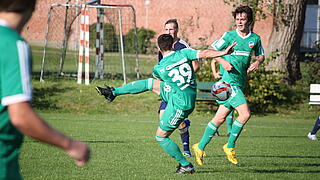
(241,57)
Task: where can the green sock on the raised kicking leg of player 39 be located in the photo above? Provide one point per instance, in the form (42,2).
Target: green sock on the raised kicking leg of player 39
(135,87)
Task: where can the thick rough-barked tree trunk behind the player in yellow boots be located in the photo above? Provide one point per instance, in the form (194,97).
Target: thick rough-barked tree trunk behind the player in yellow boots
(284,42)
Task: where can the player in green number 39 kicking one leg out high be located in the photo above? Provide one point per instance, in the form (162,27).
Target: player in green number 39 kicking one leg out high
(174,80)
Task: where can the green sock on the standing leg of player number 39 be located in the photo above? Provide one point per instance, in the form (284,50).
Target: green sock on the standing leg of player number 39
(172,149)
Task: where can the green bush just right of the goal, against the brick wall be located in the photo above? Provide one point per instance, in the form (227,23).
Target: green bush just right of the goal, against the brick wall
(144,37)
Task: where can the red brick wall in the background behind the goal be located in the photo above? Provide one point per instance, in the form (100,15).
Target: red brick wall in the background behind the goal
(198,19)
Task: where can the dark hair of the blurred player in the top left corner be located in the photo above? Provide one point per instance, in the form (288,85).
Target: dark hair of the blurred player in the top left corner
(17,6)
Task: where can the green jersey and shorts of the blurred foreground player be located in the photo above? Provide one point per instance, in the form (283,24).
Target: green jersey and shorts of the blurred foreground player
(15,87)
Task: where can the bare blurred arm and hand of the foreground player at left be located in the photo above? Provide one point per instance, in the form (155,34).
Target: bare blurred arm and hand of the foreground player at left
(29,123)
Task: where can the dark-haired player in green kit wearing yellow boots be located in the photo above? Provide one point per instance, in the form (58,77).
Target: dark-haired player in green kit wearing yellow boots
(247,44)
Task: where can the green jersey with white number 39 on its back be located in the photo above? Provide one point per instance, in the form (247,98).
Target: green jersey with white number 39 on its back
(176,70)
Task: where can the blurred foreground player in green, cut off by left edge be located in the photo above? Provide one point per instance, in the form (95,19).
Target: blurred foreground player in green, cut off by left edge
(16,114)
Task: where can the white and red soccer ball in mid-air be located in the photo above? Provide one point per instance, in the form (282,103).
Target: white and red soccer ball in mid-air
(221,90)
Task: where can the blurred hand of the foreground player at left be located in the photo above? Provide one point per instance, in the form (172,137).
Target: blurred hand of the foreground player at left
(79,151)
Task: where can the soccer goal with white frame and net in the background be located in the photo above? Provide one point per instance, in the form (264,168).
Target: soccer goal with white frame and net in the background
(107,26)
